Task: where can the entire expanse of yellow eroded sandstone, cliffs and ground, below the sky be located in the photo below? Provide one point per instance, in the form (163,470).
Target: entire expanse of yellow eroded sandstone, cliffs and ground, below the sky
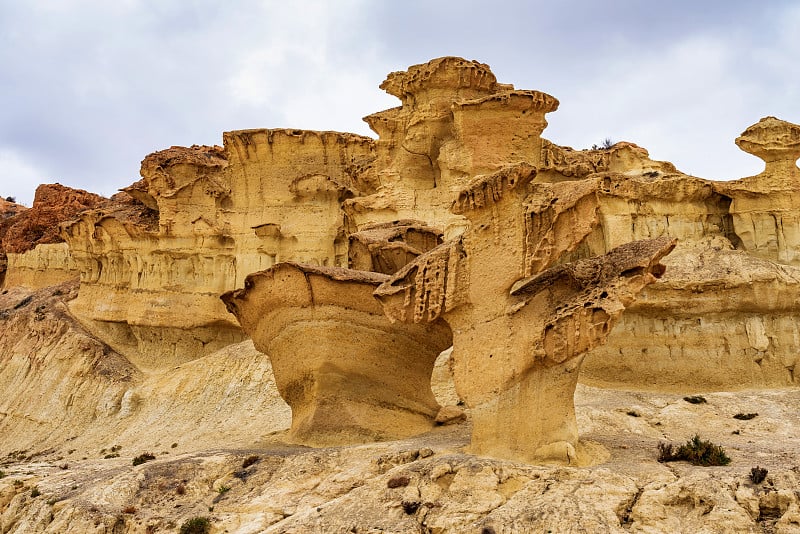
(459,212)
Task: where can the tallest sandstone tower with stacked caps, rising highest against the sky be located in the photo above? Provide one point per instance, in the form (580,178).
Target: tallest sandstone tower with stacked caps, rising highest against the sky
(455,122)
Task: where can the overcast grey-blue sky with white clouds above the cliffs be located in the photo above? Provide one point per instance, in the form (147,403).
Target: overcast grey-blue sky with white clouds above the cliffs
(89,87)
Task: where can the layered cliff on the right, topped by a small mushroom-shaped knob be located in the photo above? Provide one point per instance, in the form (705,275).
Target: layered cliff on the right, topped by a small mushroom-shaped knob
(719,285)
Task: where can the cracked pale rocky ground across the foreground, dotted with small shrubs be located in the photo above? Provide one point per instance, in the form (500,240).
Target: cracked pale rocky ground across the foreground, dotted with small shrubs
(427,484)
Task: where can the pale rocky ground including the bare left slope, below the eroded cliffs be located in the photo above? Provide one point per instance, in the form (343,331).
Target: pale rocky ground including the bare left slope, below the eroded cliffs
(74,416)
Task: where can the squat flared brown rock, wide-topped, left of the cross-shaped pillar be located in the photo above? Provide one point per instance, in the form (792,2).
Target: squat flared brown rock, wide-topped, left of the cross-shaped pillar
(348,373)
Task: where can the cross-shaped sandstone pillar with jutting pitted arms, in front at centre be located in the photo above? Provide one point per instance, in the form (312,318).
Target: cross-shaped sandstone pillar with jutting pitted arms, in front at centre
(519,330)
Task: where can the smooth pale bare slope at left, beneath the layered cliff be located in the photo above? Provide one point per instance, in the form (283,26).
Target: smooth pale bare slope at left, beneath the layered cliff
(66,389)
